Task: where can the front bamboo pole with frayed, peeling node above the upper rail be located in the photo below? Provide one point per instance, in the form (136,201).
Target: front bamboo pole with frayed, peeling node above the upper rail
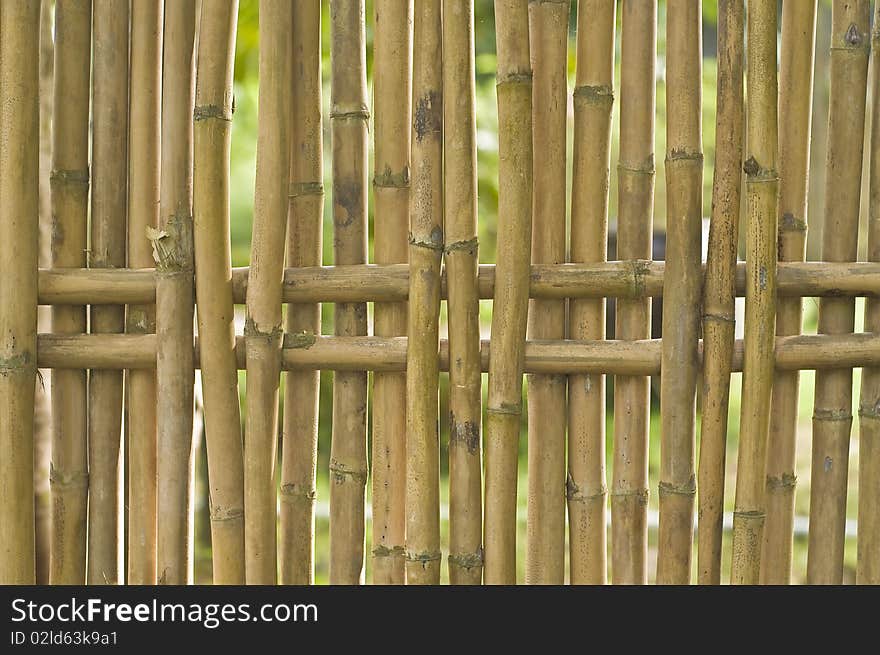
(174,299)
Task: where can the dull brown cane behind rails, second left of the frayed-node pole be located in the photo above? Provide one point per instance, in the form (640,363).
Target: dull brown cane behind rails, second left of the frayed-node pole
(107,250)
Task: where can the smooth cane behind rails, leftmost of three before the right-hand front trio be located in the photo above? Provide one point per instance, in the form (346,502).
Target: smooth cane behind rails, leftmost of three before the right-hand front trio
(545,554)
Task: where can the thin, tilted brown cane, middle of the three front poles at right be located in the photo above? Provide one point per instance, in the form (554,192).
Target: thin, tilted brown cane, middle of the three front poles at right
(720,290)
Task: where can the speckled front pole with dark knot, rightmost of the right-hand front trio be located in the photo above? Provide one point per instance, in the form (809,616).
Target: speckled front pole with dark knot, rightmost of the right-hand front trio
(760,320)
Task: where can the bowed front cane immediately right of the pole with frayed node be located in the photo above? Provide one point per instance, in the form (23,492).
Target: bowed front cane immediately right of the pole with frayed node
(212,134)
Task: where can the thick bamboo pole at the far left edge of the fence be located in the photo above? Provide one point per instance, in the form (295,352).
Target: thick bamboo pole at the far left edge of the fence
(19,232)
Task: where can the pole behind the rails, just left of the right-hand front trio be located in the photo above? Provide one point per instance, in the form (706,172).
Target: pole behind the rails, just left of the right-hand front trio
(635,189)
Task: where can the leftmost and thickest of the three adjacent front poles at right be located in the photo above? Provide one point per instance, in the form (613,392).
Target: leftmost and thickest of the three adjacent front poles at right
(681,288)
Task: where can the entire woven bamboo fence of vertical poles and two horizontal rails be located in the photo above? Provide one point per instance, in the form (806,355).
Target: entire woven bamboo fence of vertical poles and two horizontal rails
(140,252)
